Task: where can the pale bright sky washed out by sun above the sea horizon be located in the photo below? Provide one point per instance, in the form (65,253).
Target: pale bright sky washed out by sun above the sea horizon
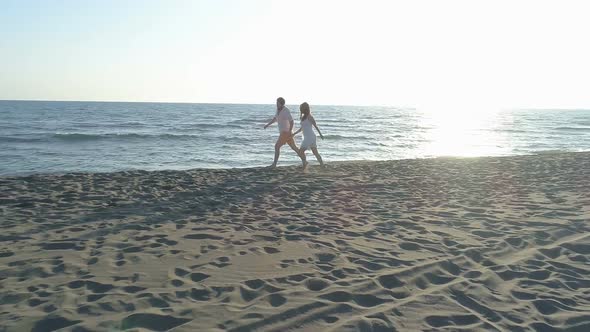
(423,54)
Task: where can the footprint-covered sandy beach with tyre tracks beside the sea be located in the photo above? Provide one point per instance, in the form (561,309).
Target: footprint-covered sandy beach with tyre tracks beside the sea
(488,244)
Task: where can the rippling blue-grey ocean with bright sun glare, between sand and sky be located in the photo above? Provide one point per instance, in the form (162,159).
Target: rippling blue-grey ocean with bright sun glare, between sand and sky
(60,137)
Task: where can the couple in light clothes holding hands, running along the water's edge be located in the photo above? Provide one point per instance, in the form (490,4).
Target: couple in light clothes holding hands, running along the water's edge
(285,122)
